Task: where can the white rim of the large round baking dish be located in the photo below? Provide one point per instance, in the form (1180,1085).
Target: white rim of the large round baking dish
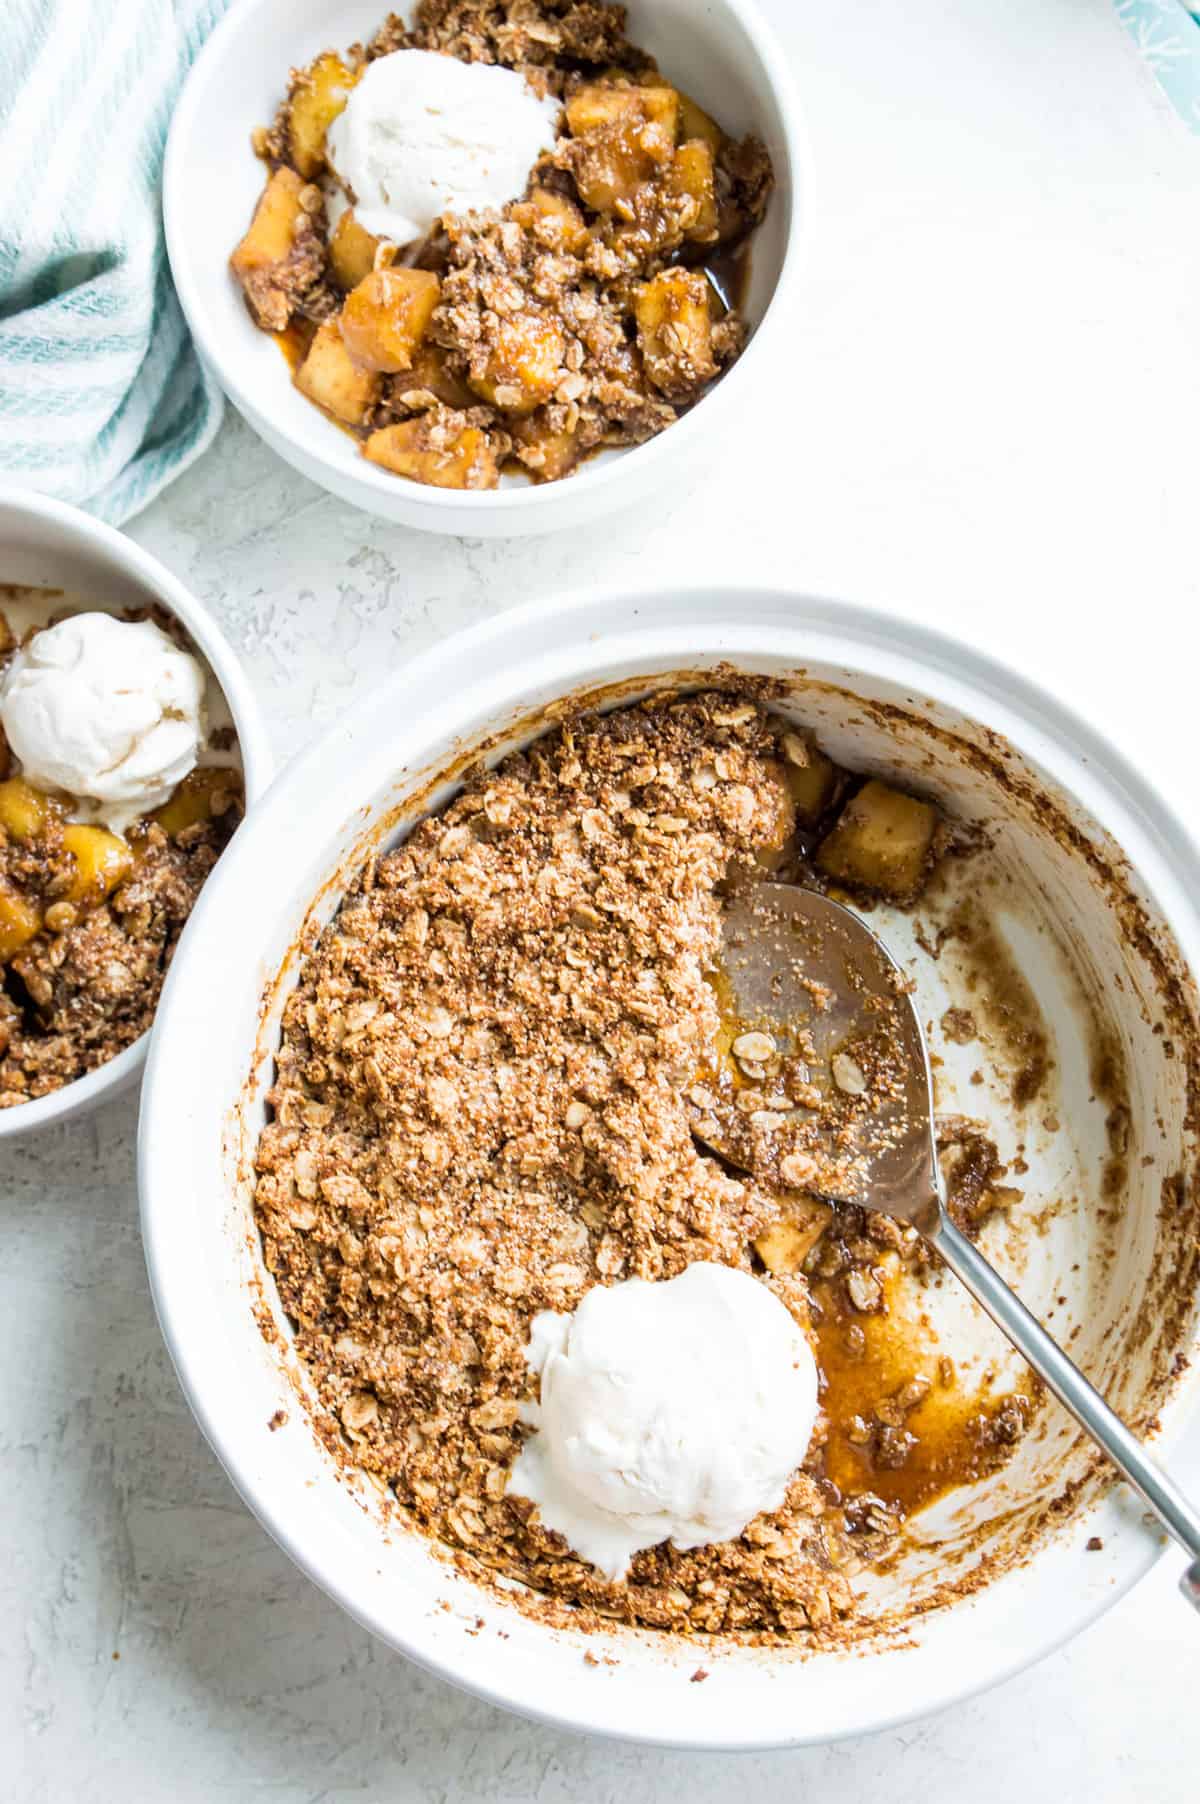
(882,643)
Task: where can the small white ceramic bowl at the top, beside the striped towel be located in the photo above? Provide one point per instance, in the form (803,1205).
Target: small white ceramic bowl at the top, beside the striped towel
(721,51)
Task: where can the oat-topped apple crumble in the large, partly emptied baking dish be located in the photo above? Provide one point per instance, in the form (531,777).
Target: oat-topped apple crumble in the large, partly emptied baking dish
(488,1101)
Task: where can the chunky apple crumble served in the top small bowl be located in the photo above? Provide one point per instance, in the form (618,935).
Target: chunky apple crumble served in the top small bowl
(589,309)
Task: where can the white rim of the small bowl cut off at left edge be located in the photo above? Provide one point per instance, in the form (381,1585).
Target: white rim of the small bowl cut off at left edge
(257,760)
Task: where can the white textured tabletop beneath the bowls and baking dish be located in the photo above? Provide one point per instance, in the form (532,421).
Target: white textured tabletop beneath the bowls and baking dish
(995,428)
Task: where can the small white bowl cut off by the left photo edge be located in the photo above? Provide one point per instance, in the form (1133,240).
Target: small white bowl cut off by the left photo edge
(53,546)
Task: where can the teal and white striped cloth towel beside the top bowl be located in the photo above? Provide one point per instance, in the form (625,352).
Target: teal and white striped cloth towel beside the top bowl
(102,396)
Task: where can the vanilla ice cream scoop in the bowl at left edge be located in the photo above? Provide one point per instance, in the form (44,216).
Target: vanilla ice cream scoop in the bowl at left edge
(107,710)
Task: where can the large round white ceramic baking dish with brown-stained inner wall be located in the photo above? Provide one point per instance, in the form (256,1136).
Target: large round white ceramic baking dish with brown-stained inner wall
(984,741)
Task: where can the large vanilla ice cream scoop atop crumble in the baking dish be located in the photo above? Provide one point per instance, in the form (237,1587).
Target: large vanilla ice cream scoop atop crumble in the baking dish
(672,1412)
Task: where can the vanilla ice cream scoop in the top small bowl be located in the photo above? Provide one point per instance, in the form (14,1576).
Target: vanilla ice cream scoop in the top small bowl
(425,134)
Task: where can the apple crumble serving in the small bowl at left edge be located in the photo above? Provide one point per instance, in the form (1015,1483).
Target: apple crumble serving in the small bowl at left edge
(91,908)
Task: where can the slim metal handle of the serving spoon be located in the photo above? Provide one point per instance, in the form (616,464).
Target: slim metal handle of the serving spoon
(1073,1390)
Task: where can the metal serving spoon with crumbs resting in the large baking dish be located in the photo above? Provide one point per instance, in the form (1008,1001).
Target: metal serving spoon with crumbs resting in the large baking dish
(813,977)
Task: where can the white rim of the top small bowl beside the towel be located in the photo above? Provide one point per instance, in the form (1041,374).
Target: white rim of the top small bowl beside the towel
(320,465)
